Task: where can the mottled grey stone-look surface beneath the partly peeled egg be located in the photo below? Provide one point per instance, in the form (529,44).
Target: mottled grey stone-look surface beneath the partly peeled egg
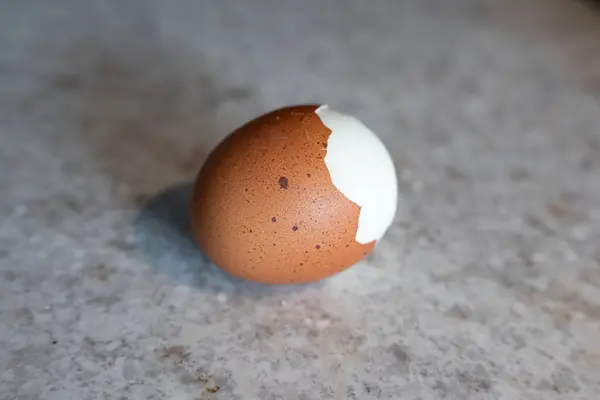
(487,286)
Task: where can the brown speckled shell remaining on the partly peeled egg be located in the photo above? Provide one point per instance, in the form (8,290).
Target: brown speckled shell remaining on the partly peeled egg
(264,207)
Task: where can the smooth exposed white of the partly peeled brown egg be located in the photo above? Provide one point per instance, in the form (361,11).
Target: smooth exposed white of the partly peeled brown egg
(362,169)
